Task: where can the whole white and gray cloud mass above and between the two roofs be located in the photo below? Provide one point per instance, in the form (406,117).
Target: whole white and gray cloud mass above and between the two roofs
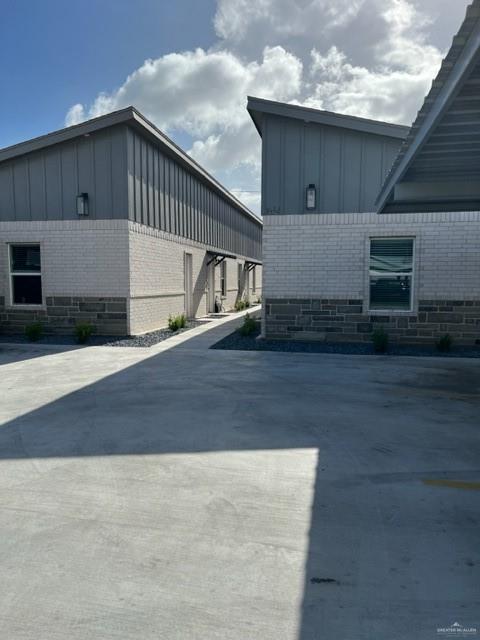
(364,57)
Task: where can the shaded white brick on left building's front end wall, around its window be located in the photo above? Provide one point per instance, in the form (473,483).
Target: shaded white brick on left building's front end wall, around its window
(79,257)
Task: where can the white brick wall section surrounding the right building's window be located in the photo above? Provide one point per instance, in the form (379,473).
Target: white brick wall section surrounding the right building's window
(326,255)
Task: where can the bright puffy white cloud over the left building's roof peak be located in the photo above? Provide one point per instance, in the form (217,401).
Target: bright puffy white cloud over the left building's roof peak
(200,91)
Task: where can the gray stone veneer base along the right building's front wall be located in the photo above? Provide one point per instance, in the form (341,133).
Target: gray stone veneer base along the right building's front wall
(338,320)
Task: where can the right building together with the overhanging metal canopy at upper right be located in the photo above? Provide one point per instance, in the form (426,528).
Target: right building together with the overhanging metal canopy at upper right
(369,224)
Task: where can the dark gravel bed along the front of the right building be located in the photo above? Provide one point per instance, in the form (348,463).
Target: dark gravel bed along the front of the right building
(237,342)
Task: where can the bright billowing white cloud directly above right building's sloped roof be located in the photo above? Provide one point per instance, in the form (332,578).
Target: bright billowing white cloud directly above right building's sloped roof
(390,90)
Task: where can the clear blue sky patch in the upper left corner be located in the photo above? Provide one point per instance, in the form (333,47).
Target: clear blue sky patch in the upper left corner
(54,53)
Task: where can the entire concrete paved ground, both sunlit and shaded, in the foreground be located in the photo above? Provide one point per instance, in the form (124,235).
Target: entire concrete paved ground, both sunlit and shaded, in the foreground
(194,494)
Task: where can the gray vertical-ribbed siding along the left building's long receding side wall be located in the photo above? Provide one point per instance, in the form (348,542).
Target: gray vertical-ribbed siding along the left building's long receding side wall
(165,195)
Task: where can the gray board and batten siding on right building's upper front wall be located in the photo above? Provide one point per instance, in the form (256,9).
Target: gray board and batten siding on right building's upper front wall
(347,167)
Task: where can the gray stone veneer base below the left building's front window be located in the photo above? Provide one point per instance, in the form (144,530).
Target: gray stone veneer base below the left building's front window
(61,314)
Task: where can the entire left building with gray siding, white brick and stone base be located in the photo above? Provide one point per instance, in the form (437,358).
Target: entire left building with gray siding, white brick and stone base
(110,222)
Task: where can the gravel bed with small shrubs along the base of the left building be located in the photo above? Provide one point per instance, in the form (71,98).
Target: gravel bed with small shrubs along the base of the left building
(146,340)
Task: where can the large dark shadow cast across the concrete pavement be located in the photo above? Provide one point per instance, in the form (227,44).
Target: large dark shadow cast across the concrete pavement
(356,582)
